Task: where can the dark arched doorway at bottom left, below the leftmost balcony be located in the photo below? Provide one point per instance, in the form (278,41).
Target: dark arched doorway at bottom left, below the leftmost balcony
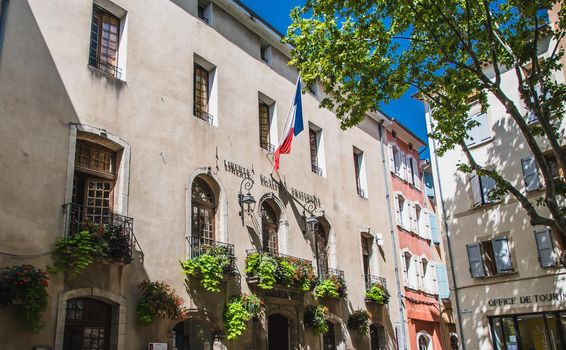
(88,325)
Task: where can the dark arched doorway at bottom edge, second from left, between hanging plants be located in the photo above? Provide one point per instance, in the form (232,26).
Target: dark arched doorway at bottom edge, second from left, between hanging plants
(192,334)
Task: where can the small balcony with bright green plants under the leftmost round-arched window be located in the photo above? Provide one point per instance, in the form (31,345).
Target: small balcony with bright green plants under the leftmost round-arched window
(210,262)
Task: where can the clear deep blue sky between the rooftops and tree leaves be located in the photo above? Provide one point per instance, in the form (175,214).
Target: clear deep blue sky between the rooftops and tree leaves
(407,110)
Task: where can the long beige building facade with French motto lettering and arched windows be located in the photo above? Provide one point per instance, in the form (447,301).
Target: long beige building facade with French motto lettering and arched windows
(151,116)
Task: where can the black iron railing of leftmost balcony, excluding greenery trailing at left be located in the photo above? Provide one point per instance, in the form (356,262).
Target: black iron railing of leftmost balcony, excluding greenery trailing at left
(114,232)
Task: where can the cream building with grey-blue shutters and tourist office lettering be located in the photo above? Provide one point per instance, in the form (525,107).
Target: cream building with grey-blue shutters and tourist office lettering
(508,286)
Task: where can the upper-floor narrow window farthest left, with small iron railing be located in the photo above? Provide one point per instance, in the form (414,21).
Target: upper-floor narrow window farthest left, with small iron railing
(104,42)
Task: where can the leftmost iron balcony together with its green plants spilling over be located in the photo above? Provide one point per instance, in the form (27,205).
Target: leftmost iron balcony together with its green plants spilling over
(94,235)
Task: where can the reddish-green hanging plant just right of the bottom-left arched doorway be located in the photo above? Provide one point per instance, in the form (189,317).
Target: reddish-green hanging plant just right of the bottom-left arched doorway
(158,299)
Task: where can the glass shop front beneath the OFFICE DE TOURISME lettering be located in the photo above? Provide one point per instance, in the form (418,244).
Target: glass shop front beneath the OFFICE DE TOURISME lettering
(534,331)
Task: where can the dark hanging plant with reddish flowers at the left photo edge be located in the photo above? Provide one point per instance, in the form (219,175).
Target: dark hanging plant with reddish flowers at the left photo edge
(25,285)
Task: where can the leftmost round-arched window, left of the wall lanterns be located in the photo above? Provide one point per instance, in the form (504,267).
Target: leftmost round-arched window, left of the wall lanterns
(203,209)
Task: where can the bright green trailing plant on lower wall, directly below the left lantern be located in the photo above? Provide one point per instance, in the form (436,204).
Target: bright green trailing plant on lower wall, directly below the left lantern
(238,311)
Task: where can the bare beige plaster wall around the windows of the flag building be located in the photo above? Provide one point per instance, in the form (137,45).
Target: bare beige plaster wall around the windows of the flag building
(46,86)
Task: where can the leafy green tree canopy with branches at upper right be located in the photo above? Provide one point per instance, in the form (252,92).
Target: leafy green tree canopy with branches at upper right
(453,52)
